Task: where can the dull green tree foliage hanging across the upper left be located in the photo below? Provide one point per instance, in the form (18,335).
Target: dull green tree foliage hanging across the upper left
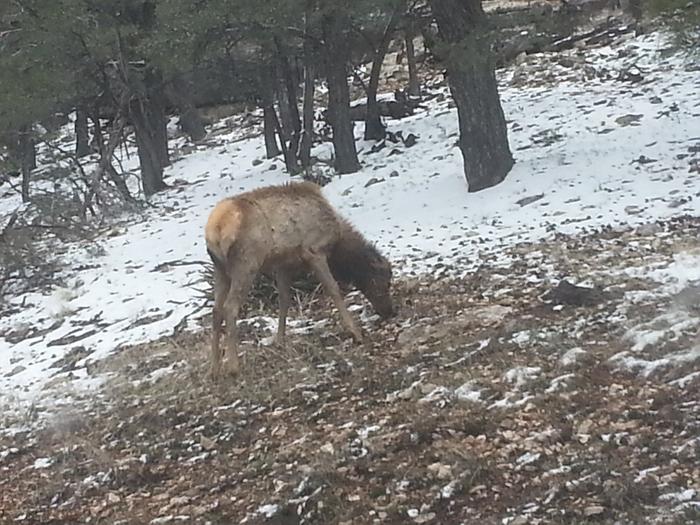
(56,54)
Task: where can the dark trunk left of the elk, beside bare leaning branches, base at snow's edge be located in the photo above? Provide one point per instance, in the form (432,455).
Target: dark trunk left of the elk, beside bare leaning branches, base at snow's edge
(148,117)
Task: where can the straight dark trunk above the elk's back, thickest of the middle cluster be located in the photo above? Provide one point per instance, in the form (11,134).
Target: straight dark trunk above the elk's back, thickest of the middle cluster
(335,29)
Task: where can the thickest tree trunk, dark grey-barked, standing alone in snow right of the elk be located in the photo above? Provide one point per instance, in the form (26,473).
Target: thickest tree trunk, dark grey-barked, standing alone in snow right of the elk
(466,51)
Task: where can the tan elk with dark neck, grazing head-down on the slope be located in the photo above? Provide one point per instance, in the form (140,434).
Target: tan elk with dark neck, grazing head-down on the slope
(281,231)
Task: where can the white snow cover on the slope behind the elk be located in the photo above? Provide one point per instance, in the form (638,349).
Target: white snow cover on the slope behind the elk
(591,150)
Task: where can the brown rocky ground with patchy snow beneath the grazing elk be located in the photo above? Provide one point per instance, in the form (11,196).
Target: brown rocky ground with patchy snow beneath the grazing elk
(500,396)
